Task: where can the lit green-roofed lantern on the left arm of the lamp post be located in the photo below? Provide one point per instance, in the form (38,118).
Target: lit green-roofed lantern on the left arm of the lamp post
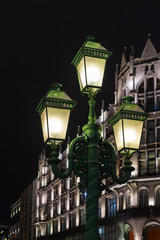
(54,109)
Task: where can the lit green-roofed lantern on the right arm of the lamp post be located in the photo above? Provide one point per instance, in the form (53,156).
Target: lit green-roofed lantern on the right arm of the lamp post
(127,125)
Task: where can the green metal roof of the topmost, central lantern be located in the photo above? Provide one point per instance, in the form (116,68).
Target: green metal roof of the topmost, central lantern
(91,48)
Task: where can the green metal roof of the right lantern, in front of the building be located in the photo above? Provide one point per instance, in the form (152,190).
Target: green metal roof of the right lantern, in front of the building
(128,110)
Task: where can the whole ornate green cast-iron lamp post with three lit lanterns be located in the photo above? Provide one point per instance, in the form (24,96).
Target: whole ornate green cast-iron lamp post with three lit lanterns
(91,157)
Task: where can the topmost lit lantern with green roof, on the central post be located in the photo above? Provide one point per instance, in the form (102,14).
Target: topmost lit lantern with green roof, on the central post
(90,63)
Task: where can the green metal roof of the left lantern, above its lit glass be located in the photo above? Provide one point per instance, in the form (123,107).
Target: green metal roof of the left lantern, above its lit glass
(57,98)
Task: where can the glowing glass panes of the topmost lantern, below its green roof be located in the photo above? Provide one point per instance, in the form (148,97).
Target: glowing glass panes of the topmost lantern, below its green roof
(90,72)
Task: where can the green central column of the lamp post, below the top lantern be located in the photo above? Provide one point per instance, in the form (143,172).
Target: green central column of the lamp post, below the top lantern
(92,131)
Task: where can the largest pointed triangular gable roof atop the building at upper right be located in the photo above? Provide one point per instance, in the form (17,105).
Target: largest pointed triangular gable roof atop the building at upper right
(149,51)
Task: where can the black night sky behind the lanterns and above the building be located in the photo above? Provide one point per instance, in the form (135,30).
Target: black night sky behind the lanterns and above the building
(38,41)
